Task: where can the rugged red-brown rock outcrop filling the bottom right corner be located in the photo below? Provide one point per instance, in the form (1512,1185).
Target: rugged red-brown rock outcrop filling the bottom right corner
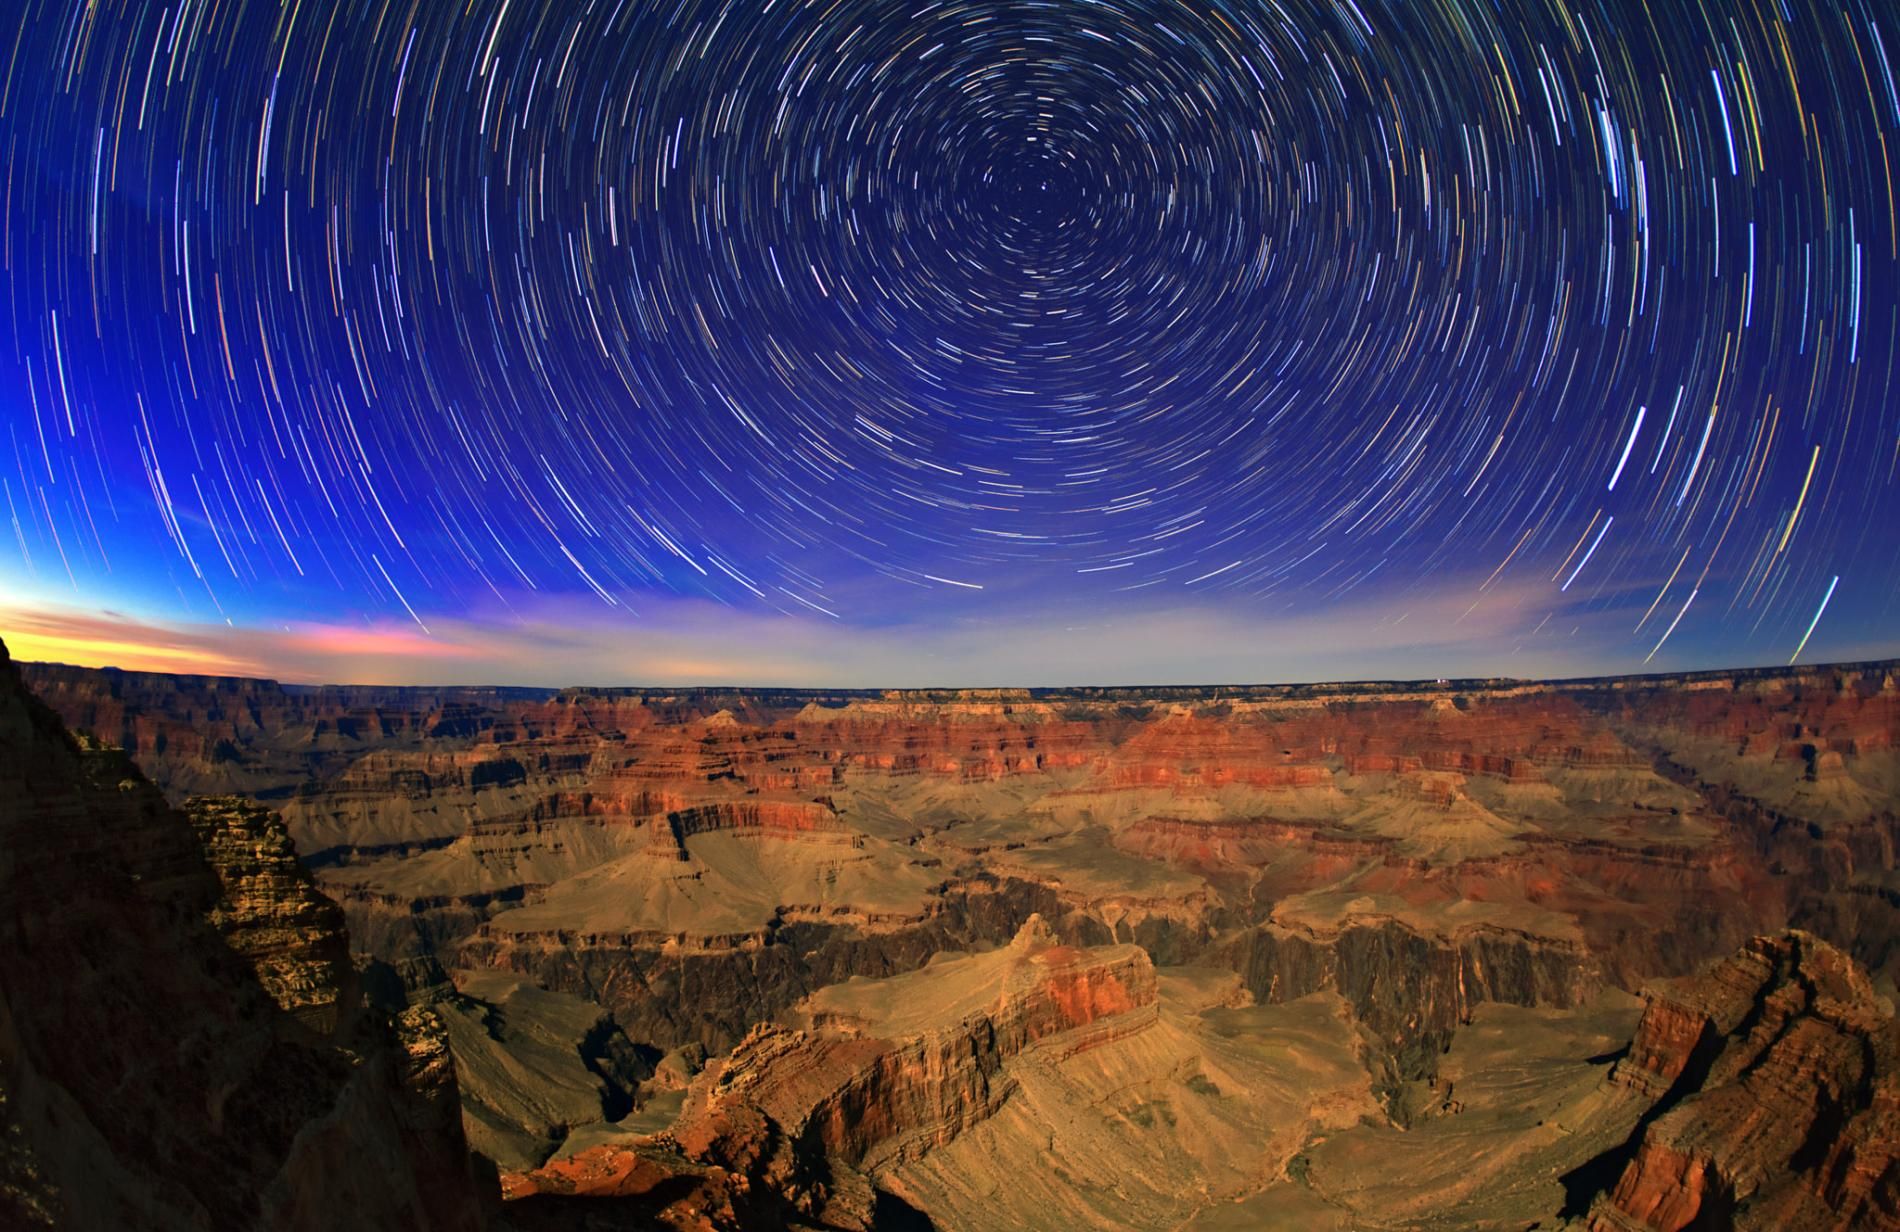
(1777,1077)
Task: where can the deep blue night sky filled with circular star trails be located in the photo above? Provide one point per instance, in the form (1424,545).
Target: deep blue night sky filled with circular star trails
(949,343)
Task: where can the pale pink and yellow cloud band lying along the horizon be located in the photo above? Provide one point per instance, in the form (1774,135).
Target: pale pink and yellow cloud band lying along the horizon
(702,644)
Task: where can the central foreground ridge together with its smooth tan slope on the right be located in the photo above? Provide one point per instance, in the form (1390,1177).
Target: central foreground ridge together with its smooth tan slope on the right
(1021,1088)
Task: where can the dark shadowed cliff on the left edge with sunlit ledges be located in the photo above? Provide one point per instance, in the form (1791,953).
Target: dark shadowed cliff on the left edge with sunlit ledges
(180,1043)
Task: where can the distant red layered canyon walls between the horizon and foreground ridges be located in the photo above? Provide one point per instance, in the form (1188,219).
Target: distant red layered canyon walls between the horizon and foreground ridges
(696,862)
